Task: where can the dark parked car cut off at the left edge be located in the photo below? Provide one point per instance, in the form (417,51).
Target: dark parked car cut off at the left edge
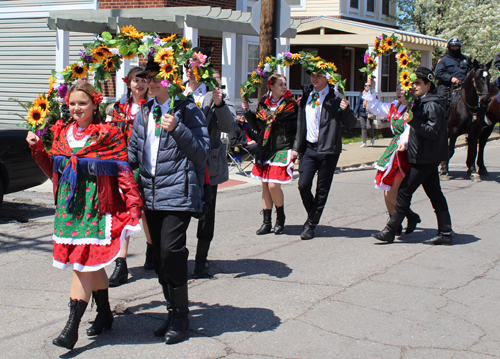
(18,170)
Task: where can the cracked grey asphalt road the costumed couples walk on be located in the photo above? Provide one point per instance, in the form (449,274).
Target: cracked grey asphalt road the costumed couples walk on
(340,295)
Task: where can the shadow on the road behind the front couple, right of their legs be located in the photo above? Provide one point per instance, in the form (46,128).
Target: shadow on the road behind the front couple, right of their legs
(247,267)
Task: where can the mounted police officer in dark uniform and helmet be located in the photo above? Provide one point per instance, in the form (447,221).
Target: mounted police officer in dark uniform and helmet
(452,68)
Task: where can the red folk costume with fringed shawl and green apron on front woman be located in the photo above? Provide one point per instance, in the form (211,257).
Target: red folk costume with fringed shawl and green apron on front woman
(92,217)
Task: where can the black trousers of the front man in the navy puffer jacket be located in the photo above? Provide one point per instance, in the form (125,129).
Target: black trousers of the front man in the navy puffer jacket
(168,234)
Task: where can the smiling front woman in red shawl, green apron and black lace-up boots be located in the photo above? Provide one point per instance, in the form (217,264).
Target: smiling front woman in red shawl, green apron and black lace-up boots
(88,166)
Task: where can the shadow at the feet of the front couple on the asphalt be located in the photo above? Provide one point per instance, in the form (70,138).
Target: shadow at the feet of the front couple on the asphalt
(206,320)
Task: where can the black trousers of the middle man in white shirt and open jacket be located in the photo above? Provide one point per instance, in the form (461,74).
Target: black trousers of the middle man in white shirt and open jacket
(324,165)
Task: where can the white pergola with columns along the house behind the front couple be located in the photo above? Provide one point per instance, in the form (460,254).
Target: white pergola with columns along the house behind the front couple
(189,22)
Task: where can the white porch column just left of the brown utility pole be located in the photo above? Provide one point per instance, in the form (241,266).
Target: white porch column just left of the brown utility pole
(228,75)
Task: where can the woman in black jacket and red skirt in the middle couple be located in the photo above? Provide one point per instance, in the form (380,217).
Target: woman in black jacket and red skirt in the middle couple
(276,122)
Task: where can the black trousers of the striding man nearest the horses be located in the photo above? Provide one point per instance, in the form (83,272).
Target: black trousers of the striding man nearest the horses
(426,175)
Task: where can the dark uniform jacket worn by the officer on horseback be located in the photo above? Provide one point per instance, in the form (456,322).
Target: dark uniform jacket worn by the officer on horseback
(451,66)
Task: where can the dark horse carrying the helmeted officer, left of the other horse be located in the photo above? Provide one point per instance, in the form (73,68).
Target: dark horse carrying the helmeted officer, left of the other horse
(467,116)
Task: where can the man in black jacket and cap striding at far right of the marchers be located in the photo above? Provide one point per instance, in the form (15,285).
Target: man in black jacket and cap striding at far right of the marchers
(427,147)
